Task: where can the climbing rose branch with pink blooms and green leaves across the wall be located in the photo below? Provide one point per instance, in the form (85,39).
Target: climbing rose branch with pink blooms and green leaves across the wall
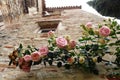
(82,54)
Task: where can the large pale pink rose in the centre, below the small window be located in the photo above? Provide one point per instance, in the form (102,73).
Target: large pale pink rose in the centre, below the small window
(61,42)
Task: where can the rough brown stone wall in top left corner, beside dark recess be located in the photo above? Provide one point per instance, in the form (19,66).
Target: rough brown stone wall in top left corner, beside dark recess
(11,10)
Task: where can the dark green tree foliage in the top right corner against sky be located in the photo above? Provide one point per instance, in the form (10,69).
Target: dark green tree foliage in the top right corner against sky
(107,7)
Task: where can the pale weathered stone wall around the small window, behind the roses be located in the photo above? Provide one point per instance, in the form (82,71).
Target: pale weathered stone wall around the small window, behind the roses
(23,32)
